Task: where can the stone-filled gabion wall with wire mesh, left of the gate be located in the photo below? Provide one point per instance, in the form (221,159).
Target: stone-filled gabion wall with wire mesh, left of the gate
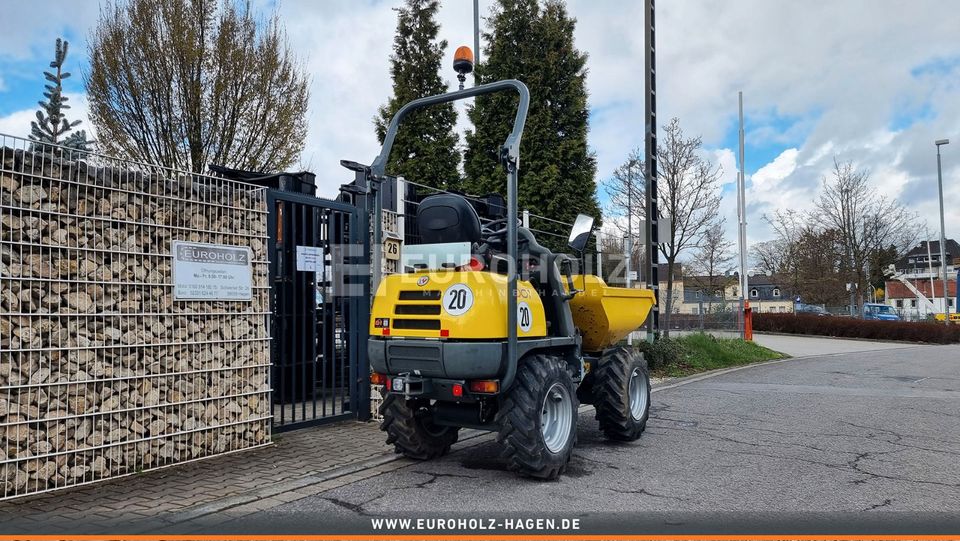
(102,373)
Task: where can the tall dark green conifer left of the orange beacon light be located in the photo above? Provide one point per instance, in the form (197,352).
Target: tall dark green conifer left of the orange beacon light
(425,149)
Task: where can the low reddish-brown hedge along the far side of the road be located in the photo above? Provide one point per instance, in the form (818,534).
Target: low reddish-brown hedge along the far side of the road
(845,327)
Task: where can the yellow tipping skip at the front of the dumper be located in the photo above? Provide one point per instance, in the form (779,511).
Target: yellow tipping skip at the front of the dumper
(606,314)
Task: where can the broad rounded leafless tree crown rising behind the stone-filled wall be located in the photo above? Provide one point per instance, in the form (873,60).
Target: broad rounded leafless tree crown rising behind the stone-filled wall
(188,83)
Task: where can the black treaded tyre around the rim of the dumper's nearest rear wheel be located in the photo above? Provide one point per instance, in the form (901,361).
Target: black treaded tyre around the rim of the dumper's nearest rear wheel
(519,418)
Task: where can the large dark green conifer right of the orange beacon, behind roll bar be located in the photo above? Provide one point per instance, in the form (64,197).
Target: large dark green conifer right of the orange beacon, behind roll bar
(534,44)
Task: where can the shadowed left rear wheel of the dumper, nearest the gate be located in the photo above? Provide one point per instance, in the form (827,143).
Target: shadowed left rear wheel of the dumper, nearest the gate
(410,428)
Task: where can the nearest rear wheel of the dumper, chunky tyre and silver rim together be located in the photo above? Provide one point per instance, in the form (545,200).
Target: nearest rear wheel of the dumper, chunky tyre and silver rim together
(538,418)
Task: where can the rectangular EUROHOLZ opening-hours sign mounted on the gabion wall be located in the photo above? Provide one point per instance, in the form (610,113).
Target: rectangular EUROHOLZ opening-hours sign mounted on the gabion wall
(211,272)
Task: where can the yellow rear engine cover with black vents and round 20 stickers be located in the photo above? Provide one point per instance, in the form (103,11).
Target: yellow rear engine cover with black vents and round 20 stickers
(466,305)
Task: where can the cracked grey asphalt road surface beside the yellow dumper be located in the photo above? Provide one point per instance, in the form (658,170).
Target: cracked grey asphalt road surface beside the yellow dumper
(851,436)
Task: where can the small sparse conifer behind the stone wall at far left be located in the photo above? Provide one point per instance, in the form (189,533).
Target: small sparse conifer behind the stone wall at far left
(52,125)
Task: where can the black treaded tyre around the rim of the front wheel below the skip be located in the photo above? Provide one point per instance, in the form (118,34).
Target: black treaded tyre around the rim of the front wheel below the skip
(611,394)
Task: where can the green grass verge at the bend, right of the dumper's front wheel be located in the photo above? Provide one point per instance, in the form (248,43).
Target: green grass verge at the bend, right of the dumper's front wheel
(696,353)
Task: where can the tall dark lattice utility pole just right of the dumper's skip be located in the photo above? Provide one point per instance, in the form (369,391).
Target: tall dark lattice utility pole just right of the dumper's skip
(650,154)
